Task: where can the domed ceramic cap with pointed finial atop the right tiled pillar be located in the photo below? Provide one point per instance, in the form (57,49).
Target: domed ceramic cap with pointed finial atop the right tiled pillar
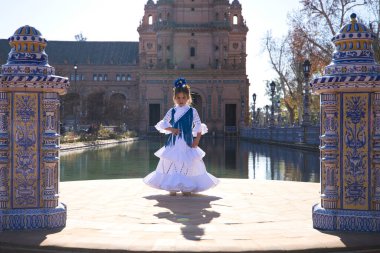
(353,63)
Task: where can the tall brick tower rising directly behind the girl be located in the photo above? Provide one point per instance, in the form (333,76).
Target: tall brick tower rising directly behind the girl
(203,41)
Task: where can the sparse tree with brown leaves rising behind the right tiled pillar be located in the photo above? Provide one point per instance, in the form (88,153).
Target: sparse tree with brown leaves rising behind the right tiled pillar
(309,37)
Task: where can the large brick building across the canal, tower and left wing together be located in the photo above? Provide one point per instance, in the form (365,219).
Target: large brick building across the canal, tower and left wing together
(130,82)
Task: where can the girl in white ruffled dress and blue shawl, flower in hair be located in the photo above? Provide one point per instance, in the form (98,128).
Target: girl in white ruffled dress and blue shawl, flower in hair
(181,168)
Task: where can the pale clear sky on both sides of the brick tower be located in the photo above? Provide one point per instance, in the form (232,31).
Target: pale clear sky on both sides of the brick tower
(117,20)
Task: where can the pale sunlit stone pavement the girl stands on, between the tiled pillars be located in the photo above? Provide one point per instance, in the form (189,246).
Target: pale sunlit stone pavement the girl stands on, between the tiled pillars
(239,215)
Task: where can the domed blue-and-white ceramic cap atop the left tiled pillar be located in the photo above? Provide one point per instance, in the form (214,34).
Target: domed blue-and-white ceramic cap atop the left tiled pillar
(27,66)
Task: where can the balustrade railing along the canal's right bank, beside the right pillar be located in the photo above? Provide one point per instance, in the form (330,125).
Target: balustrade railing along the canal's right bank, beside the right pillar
(308,135)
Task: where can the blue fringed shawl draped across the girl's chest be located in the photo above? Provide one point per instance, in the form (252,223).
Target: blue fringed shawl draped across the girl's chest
(185,125)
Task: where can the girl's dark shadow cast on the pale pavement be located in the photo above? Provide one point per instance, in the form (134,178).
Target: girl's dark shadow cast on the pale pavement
(191,212)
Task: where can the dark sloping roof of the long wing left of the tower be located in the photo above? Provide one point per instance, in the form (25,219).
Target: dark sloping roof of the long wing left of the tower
(84,52)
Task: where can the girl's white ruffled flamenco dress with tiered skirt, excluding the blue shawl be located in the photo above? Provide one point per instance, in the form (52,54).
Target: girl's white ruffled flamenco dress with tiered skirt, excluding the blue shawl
(181,167)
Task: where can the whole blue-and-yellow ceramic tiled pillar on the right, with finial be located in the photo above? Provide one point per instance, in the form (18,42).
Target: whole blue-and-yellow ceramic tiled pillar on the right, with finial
(350,134)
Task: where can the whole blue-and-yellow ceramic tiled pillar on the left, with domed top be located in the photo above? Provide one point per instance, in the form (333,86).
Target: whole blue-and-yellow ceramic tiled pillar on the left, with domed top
(29,136)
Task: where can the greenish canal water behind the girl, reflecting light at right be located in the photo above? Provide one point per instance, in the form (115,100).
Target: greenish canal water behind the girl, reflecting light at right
(225,158)
